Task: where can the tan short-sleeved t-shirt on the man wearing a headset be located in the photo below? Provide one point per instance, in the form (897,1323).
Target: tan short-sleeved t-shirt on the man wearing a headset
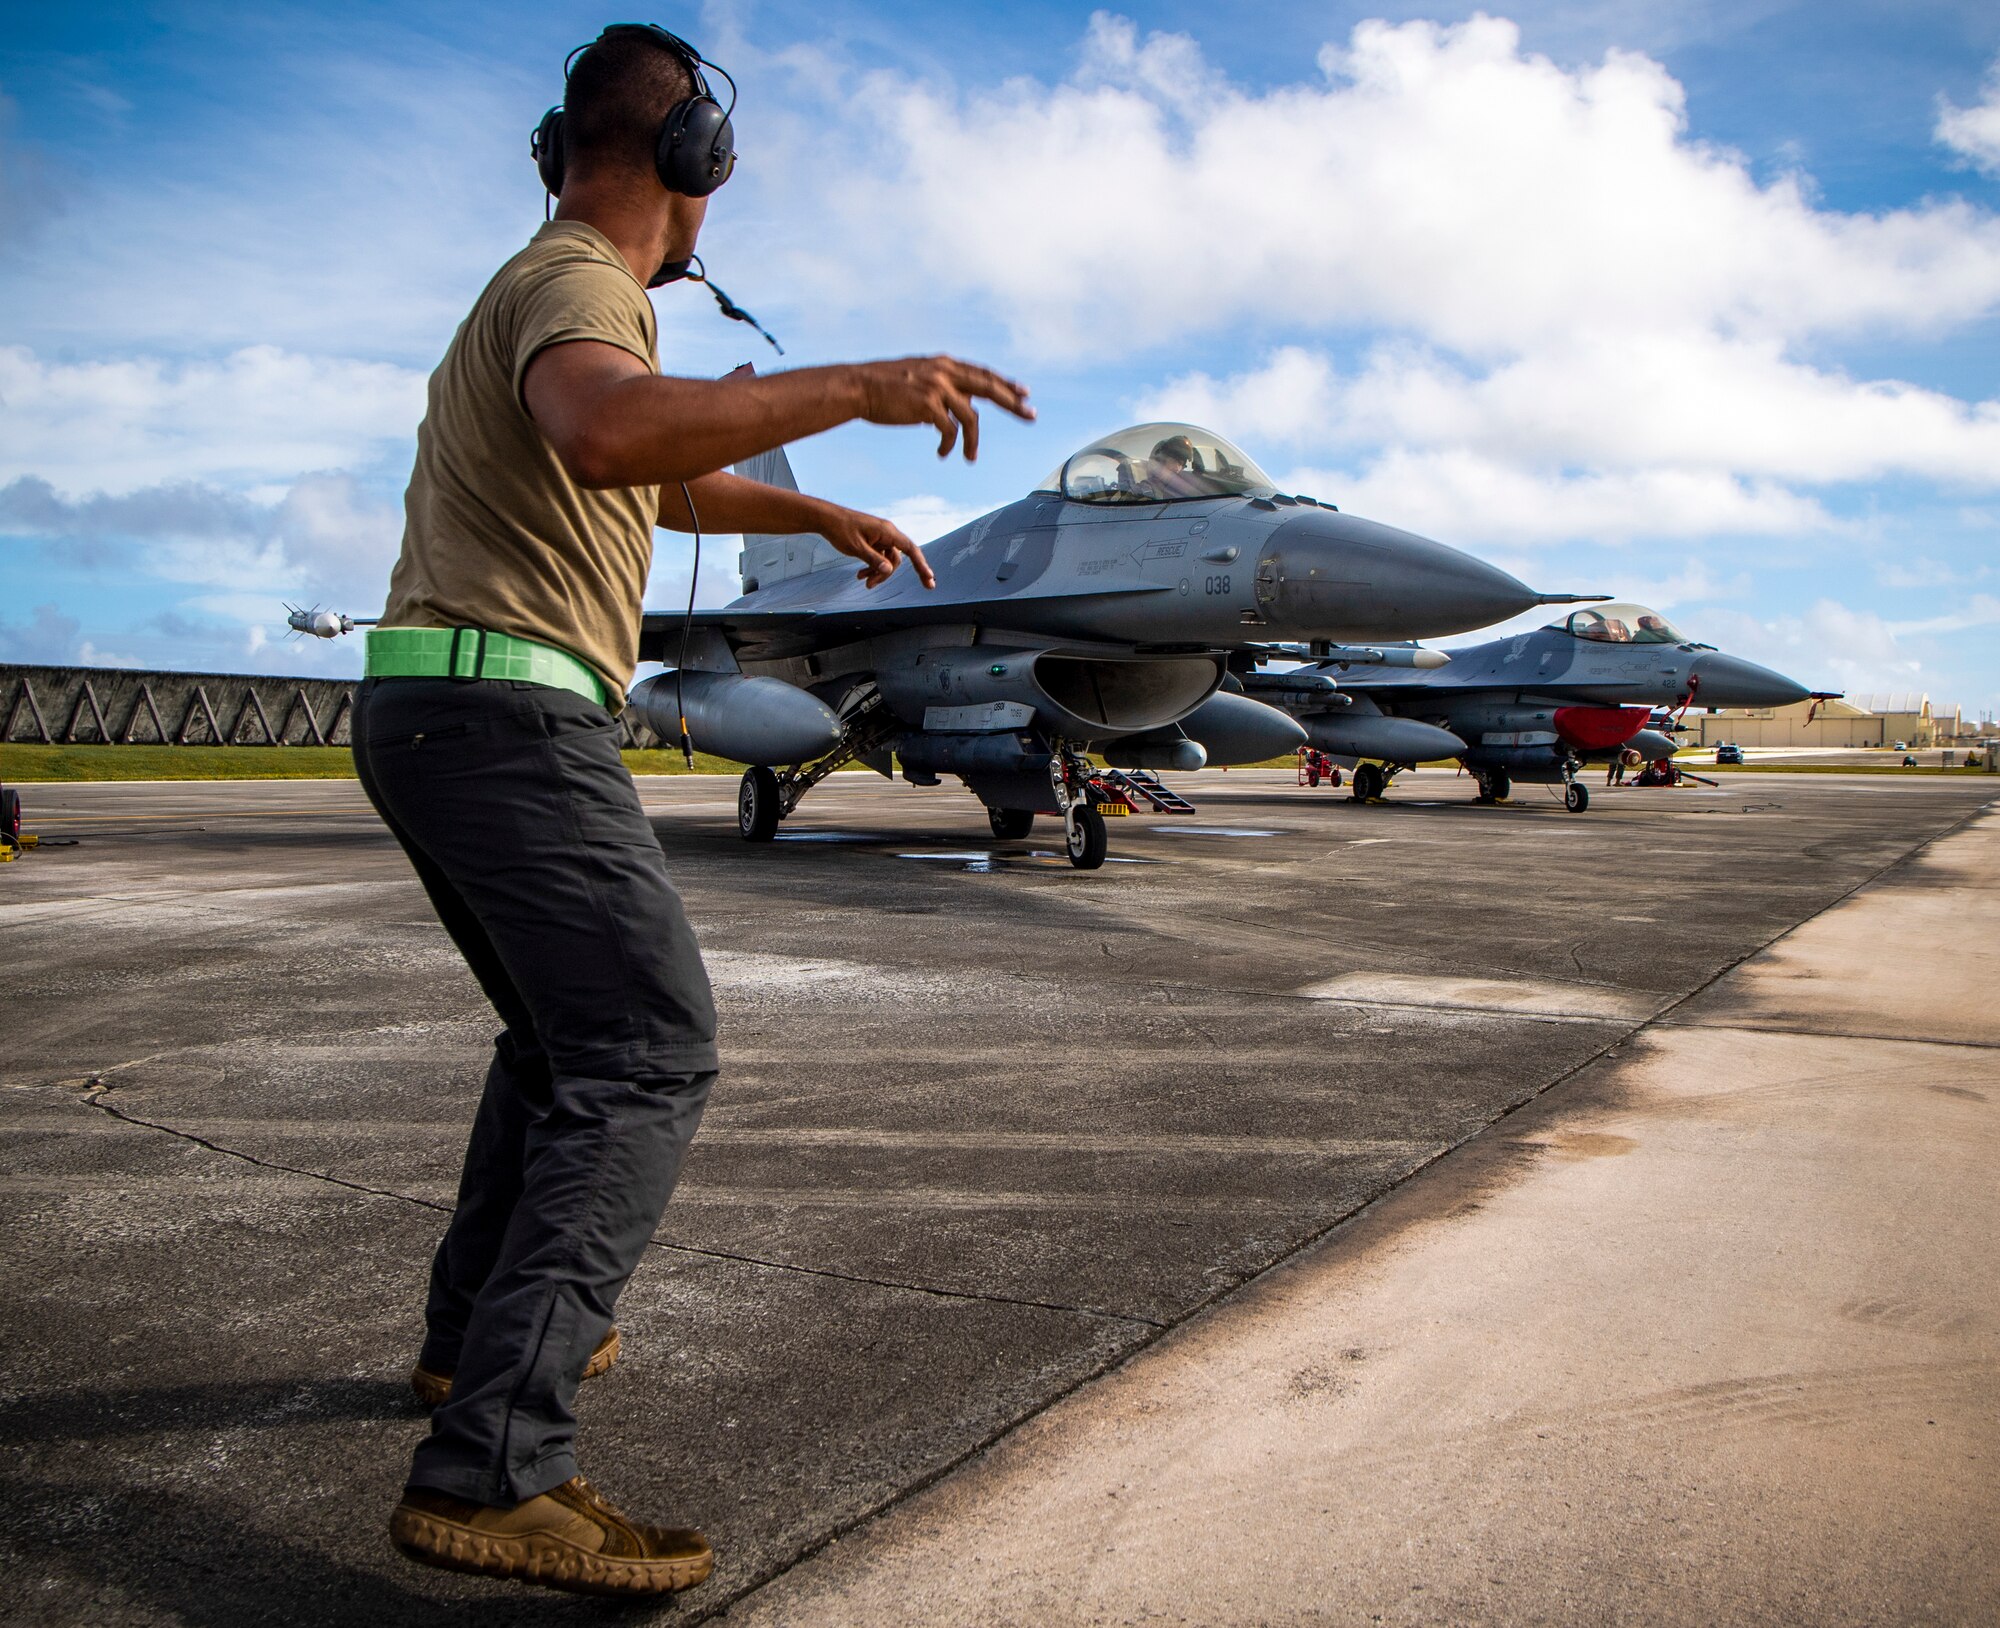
(495,531)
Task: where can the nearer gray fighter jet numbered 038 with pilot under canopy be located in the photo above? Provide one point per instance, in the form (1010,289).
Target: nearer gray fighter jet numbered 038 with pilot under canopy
(1093,617)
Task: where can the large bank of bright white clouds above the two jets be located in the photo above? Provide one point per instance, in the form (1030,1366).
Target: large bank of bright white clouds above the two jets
(1575,317)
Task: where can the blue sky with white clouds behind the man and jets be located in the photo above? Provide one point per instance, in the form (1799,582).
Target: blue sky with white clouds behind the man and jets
(1689,303)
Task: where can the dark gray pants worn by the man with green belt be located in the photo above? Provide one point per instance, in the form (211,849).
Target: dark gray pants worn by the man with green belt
(531,841)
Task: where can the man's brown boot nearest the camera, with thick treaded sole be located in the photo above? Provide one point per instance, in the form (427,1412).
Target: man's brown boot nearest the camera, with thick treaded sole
(565,1539)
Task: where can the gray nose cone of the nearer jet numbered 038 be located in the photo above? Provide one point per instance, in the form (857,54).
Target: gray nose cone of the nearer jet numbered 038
(1349,579)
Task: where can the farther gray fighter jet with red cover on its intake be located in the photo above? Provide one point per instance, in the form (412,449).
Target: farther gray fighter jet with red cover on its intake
(1533,707)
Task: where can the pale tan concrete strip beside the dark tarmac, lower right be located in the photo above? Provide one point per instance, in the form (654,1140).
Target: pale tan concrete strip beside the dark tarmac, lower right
(1709,1337)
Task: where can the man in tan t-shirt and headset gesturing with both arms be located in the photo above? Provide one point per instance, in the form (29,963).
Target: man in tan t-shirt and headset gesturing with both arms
(487,739)
